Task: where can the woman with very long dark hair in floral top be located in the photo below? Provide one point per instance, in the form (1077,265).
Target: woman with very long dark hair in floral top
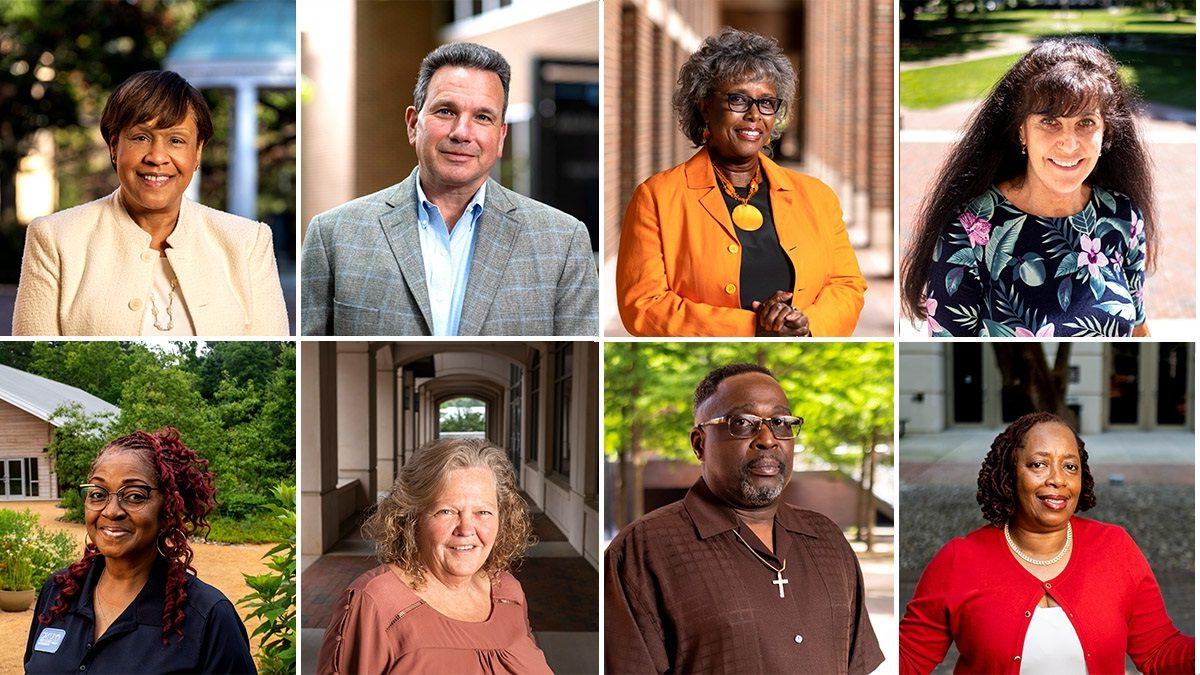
(1042,219)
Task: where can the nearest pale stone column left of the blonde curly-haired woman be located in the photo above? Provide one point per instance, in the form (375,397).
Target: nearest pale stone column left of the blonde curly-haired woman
(357,419)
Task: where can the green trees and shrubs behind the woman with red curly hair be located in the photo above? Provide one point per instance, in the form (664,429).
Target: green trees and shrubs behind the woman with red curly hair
(233,403)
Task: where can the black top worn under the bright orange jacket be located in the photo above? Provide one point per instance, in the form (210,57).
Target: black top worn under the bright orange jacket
(766,268)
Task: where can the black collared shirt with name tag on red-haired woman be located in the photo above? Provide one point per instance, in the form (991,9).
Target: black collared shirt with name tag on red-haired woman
(214,638)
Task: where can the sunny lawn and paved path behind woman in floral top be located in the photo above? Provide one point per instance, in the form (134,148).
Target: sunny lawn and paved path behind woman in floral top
(953,52)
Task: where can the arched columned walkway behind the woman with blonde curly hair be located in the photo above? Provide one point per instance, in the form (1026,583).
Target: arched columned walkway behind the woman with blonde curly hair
(370,407)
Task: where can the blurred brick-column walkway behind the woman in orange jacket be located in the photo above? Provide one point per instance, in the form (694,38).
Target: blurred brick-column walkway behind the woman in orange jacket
(842,121)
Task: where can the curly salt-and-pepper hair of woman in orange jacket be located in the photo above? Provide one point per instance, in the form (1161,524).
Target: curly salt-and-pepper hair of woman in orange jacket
(731,57)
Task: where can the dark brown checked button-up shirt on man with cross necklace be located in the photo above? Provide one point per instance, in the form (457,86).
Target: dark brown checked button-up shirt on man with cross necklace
(683,595)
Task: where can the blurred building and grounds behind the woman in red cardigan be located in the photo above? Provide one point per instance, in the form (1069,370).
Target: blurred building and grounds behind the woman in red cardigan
(1133,404)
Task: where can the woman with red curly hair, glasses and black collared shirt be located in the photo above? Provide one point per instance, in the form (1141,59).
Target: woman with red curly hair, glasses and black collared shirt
(133,604)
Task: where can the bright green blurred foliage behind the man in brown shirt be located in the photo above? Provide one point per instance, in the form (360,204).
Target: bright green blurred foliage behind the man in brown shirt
(842,390)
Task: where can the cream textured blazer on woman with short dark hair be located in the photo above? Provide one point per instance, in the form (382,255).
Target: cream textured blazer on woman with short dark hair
(87,271)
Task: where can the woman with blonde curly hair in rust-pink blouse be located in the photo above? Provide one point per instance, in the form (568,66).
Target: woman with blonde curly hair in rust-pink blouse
(442,600)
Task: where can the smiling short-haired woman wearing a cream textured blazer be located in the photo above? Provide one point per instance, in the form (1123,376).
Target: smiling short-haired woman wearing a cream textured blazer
(146,260)
